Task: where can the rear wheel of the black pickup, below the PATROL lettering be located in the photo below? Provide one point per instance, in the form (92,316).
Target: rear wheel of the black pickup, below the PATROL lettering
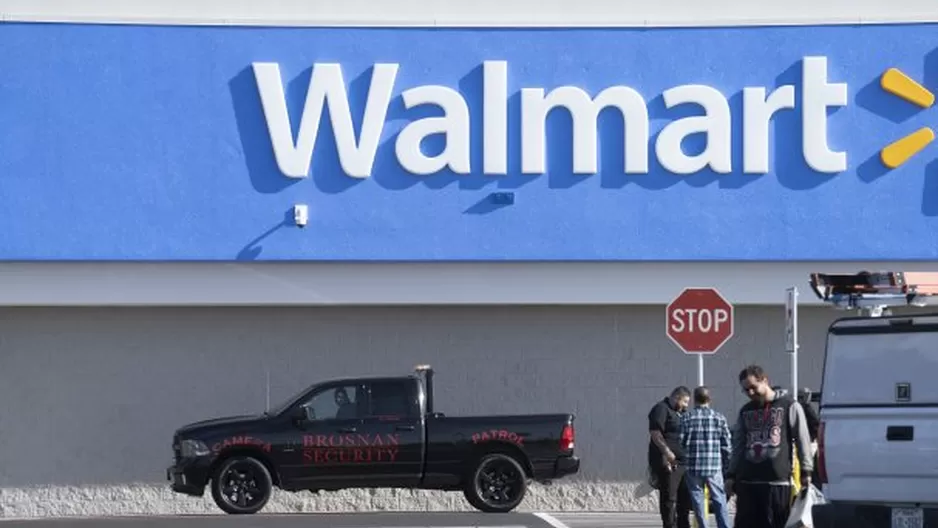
(497,484)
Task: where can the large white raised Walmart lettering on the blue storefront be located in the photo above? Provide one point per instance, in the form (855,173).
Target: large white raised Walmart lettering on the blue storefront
(357,154)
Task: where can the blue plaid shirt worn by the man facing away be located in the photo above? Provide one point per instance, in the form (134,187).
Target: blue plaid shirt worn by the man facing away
(705,437)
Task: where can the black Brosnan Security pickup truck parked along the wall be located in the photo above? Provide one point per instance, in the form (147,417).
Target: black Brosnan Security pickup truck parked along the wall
(370,433)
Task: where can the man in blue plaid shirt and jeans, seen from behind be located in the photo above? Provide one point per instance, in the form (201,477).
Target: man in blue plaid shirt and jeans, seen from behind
(705,437)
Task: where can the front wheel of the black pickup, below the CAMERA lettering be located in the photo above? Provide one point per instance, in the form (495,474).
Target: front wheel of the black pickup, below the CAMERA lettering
(241,485)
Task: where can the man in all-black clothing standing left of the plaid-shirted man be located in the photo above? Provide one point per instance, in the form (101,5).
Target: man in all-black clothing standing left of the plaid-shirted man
(666,458)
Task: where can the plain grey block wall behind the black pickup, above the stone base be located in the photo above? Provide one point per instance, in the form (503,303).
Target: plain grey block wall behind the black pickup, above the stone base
(91,396)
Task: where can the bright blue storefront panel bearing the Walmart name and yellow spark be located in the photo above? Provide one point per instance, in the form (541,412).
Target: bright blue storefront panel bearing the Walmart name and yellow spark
(195,143)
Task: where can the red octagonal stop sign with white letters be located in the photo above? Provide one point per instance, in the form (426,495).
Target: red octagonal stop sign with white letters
(700,320)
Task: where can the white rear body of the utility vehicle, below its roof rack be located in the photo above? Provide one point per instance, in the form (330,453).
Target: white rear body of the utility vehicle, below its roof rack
(879,406)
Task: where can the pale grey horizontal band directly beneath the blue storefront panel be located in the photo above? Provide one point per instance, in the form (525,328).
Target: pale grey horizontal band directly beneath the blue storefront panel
(332,284)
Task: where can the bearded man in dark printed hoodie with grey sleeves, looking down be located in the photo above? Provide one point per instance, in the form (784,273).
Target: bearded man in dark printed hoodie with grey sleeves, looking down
(760,470)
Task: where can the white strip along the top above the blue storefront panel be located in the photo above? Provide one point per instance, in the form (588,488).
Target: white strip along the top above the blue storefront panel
(476,13)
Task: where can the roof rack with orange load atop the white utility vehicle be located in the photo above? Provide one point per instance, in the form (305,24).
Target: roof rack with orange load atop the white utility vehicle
(877,291)
